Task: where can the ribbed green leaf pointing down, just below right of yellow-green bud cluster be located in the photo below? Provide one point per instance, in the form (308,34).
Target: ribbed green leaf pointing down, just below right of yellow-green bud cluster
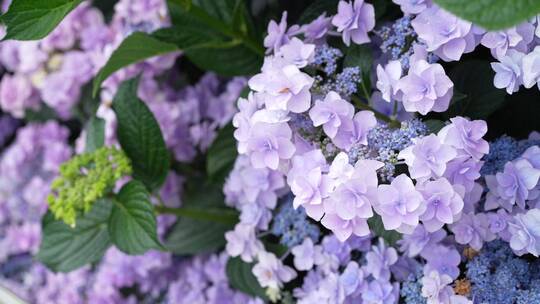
(132,225)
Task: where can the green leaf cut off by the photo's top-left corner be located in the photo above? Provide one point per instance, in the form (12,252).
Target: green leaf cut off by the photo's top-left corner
(33,20)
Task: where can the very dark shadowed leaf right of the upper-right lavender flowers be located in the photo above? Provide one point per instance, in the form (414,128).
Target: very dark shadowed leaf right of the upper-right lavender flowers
(477,98)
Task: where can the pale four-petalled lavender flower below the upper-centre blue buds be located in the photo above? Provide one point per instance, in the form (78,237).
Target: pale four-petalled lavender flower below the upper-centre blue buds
(331,113)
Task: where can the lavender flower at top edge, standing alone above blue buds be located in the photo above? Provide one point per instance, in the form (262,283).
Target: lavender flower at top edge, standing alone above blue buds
(355,20)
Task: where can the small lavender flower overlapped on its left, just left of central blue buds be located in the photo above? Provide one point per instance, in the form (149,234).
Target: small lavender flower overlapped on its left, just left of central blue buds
(355,132)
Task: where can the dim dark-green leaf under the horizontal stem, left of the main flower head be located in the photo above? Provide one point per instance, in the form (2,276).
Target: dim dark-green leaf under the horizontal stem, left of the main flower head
(190,236)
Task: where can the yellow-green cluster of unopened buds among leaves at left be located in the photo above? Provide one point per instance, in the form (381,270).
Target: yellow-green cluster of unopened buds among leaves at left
(84,179)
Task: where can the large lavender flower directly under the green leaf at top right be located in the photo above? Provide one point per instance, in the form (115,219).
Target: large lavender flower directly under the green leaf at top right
(444,34)
